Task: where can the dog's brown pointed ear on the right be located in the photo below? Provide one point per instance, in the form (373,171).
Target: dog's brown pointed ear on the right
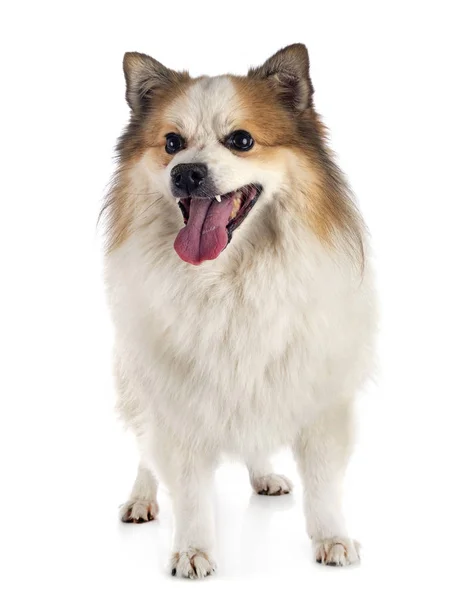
(289,70)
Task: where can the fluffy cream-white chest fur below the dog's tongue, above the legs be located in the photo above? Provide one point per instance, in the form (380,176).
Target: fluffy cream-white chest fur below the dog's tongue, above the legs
(247,348)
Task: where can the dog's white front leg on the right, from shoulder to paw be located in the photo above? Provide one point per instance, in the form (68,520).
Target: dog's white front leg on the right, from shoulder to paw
(322,452)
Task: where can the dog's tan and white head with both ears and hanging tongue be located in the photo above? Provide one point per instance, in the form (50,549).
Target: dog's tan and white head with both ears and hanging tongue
(217,146)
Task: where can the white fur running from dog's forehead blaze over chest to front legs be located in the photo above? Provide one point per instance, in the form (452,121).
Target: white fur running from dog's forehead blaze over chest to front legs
(265,346)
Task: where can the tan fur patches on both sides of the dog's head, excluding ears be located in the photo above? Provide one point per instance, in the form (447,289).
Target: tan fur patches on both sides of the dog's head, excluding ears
(325,204)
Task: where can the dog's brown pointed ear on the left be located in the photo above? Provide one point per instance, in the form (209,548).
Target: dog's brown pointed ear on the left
(144,75)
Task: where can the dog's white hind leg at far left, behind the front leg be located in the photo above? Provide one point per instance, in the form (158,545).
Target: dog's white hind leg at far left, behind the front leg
(142,505)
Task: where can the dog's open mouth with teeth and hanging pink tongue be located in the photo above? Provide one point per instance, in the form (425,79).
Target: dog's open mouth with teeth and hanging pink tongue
(210,223)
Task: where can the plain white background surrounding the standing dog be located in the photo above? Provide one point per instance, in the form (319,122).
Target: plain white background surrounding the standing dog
(391,81)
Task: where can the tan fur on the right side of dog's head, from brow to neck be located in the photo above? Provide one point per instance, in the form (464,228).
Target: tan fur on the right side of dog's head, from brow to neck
(326,207)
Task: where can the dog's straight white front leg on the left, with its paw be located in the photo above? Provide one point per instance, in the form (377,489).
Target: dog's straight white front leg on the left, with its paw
(191,489)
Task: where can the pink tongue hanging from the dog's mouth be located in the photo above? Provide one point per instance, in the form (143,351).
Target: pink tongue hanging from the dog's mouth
(205,235)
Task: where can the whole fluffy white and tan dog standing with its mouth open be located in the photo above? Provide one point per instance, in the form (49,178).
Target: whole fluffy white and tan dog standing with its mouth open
(238,274)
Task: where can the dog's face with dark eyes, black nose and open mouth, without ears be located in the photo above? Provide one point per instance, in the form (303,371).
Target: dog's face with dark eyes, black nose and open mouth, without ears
(212,163)
